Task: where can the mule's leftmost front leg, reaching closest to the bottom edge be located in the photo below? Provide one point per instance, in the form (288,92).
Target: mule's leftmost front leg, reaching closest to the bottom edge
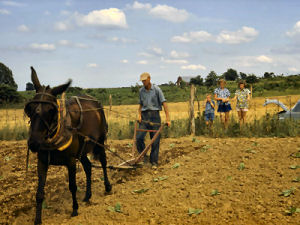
(42,174)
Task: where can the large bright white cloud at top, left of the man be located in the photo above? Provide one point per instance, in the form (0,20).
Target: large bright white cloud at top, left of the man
(111,17)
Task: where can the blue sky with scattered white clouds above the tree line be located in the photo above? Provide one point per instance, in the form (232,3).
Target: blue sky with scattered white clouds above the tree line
(109,43)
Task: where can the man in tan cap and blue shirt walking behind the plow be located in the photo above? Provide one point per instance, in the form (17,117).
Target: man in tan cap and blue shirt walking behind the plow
(151,101)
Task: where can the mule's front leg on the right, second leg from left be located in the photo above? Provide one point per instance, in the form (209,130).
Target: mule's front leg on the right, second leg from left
(72,184)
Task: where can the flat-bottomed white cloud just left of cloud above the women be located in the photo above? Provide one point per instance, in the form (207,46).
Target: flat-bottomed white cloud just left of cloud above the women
(193,36)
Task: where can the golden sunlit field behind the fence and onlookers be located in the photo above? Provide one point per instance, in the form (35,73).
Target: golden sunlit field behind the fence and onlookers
(124,113)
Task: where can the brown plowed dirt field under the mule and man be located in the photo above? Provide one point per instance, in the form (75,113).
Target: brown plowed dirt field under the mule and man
(249,196)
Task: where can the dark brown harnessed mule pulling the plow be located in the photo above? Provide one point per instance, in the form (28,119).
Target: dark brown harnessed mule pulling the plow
(87,122)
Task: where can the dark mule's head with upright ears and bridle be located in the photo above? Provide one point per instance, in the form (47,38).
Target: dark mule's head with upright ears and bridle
(43,112)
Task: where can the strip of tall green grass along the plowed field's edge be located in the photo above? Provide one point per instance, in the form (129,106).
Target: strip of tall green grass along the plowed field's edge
(265,127)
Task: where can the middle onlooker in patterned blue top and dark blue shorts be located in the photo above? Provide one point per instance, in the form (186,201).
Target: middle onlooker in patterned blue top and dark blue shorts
(222,96)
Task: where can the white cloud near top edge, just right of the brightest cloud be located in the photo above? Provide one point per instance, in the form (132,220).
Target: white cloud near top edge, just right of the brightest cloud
(169,13)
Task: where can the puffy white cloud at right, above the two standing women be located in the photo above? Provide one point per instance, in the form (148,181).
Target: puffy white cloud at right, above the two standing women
(245,34)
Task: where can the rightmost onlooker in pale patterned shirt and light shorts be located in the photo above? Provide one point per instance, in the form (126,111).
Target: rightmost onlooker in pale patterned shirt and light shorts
(242,97)
